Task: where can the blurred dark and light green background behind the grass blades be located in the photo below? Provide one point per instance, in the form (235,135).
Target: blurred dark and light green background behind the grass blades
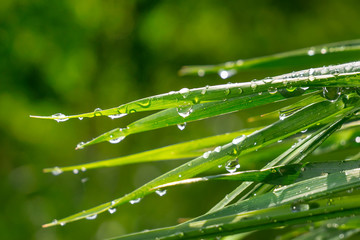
(74,56)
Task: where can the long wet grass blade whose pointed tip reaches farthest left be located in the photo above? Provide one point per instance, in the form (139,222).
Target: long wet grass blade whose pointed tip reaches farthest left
(338,75)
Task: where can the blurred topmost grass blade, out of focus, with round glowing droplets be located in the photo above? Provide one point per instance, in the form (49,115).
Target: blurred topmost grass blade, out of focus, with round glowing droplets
(290,58)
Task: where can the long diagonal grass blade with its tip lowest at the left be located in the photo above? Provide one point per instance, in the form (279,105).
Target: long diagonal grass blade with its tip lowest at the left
(278,130)
